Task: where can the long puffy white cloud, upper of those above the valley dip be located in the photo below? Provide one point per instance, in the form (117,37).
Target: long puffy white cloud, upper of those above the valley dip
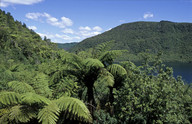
(50,20)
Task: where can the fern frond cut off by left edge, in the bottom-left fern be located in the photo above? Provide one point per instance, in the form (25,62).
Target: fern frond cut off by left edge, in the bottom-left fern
(9,98)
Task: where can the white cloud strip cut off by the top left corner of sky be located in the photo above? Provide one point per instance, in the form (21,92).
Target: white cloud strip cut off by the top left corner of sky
(5,3)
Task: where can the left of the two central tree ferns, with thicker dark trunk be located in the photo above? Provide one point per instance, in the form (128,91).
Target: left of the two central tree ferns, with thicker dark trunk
(86,72)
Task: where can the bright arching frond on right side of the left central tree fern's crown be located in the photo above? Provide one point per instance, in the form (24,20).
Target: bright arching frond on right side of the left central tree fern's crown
(92,63)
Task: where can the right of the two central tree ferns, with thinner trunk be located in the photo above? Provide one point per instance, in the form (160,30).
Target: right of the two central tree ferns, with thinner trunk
(111,75)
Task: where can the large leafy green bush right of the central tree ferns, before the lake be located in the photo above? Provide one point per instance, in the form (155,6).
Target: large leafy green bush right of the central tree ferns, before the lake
(152,95)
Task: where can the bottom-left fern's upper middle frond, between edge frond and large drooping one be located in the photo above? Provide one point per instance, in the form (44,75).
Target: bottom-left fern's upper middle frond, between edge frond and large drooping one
(32,98)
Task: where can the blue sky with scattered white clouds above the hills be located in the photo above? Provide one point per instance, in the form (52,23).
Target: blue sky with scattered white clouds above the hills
(66,21)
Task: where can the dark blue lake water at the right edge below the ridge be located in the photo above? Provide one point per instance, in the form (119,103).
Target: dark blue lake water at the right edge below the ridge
(182,69)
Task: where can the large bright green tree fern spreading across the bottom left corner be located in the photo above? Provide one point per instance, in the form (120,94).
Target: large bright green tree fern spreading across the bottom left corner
(22,105)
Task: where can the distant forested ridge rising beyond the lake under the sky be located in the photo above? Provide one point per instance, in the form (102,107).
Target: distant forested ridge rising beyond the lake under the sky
(174,40)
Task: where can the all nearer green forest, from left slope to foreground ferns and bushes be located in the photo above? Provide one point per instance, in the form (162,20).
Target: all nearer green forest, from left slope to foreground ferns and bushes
(42,84)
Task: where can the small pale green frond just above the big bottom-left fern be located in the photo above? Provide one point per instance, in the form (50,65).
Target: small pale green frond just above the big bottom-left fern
(20,87)
